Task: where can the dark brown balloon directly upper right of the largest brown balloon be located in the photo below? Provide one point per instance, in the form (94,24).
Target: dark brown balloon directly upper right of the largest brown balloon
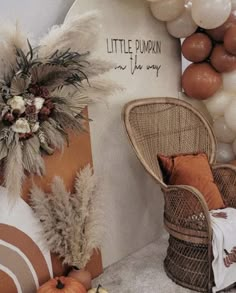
(221,60)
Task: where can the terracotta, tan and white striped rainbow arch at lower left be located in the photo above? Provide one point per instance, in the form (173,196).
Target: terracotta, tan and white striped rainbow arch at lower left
(23,267)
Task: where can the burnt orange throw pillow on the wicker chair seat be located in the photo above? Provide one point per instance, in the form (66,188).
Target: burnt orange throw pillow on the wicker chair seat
(193,170)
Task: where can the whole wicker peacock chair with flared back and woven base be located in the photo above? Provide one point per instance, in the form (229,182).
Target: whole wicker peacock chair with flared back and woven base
(171,126)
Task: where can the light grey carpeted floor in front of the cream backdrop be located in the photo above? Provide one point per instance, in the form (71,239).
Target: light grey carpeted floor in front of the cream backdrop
(141,272)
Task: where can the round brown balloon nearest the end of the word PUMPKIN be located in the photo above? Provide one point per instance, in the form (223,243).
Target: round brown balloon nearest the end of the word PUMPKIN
(197,47)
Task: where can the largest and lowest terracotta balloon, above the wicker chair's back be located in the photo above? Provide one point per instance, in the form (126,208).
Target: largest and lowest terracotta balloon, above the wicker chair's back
(201,81)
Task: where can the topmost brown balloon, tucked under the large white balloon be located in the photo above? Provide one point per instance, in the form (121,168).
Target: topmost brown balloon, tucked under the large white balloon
(217,34)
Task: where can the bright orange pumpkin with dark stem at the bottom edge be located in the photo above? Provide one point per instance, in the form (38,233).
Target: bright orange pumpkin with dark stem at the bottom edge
(63,285)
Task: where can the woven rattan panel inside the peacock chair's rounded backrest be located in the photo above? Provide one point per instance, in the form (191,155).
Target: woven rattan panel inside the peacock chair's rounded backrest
(167,129)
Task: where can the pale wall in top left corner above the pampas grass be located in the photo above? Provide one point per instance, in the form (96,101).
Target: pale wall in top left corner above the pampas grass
(36,16)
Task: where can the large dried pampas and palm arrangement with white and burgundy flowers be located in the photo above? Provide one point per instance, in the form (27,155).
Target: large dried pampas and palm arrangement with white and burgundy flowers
(43,91)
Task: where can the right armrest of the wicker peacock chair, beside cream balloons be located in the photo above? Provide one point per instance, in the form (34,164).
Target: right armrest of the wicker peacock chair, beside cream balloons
(225,178)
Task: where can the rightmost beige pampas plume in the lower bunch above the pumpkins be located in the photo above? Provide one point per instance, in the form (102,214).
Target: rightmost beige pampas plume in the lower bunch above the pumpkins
(87,200)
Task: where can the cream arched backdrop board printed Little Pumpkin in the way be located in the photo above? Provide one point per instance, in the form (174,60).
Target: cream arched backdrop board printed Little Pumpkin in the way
(147,65)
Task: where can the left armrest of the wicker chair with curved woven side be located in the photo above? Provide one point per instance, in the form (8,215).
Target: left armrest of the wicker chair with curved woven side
(186,213)
